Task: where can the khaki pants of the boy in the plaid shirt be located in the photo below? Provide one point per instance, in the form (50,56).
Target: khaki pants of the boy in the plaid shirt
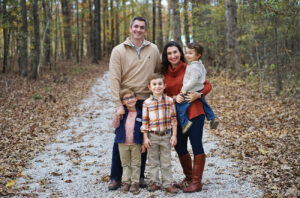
(159,156)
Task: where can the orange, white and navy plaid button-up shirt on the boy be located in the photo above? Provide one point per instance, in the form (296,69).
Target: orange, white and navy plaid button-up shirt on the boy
(158,115)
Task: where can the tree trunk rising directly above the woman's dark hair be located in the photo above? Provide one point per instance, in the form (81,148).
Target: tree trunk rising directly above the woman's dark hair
(176,22)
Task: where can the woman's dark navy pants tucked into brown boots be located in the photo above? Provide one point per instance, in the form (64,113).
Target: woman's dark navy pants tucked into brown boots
(195,134)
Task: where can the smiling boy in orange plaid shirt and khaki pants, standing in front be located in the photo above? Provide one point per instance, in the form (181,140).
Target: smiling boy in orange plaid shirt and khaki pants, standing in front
(159,127)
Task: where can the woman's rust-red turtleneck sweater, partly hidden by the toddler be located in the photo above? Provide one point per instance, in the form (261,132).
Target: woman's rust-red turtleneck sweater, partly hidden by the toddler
(174,79)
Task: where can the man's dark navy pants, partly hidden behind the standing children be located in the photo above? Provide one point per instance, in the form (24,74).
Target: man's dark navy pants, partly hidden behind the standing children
(116,166)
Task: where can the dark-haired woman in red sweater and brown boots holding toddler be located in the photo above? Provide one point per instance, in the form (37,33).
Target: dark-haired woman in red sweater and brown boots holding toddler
(174,66)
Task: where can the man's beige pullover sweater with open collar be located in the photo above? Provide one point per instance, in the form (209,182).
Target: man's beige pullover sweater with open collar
(129,69)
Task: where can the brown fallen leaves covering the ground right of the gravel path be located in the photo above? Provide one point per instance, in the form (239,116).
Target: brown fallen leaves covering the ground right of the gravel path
(262,134)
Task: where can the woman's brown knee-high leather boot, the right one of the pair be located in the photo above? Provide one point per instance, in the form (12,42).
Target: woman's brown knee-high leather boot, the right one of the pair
(196,185)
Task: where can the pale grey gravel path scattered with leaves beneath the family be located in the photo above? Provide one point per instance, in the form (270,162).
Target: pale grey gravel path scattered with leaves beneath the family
(77,163)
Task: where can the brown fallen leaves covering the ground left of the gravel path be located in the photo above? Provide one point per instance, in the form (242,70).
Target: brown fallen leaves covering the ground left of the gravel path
(31,112)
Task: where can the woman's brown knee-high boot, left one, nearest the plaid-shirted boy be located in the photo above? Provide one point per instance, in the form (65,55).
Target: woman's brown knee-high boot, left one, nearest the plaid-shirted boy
(186,164)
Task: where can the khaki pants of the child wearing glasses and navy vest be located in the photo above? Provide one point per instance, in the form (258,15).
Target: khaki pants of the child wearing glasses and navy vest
(131,162)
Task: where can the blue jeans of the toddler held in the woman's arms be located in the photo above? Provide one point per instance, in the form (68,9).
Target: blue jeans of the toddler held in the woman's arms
(182,108)
